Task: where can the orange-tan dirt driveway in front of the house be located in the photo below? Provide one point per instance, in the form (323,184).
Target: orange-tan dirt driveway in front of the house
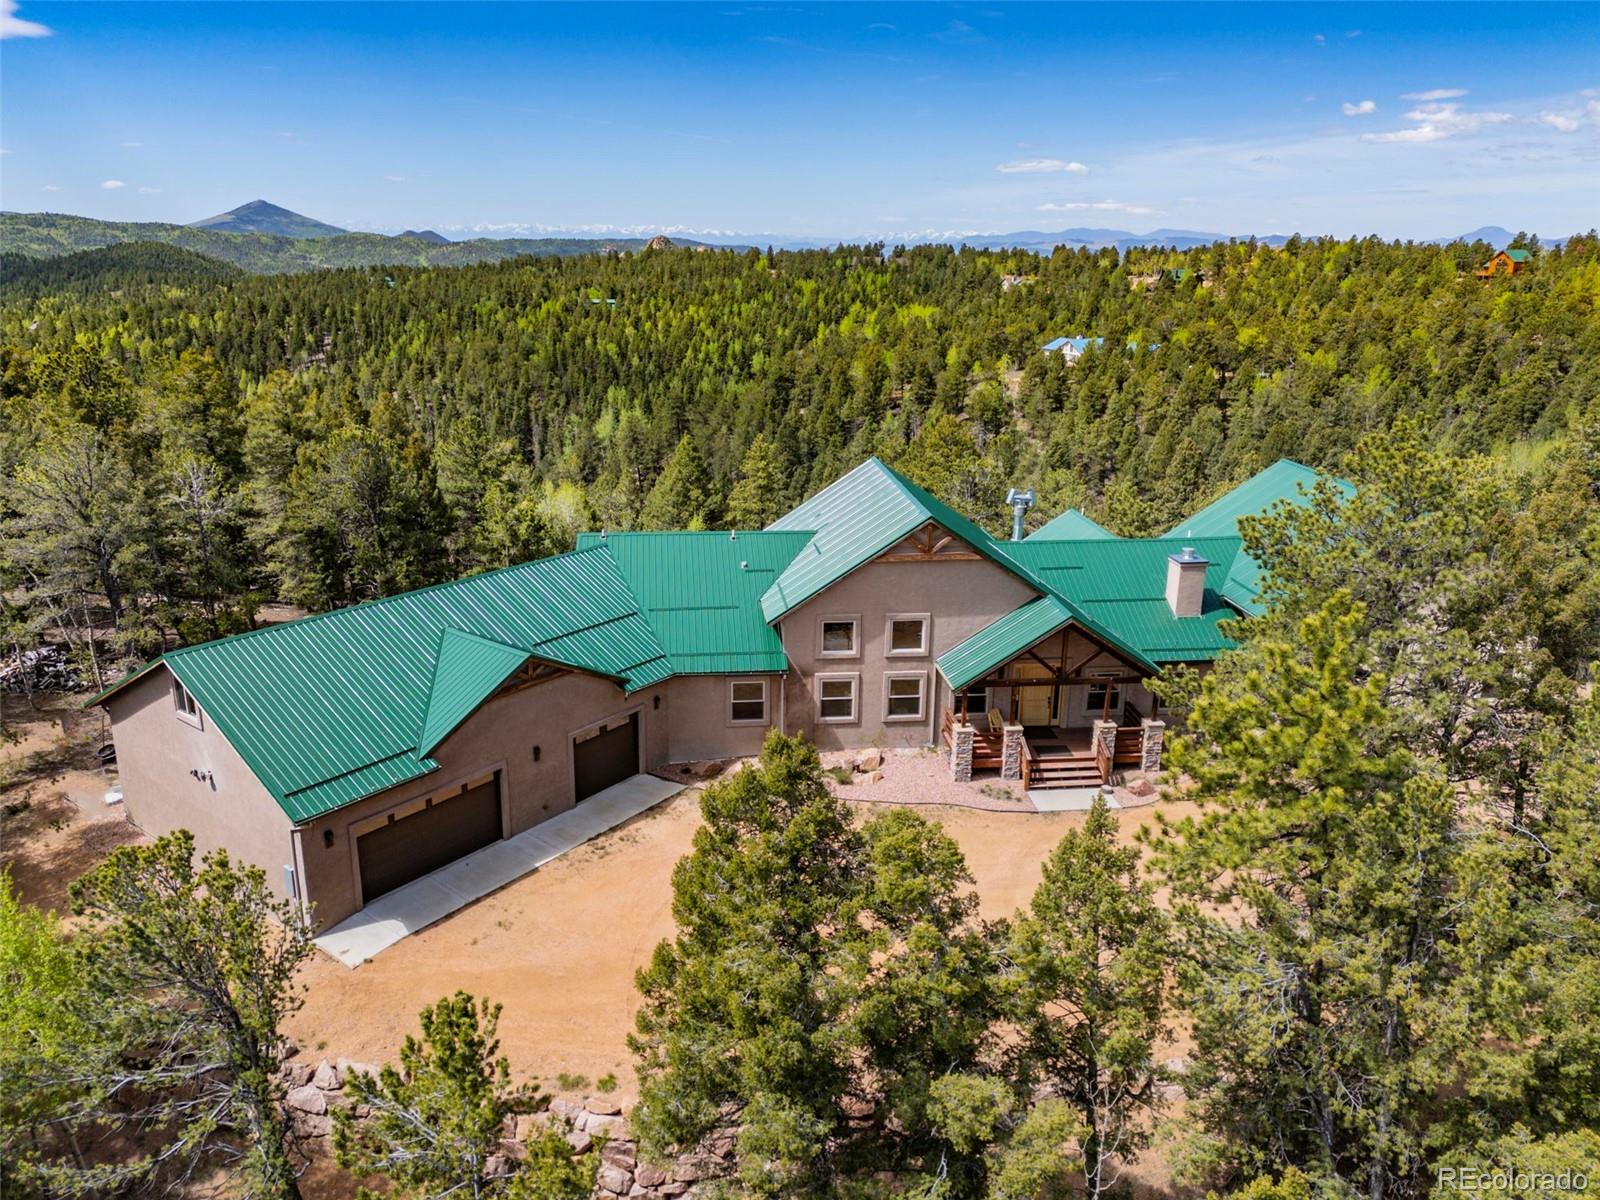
(559,948)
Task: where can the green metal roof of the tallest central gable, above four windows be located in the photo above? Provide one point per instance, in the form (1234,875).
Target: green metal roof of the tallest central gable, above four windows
(855,519)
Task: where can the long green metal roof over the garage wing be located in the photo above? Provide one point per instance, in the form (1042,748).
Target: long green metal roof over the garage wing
(338,706)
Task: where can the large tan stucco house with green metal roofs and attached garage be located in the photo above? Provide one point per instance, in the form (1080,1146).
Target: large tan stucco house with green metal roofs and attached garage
(366,751)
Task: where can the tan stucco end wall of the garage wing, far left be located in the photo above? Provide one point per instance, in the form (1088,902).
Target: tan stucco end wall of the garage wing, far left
(156,754)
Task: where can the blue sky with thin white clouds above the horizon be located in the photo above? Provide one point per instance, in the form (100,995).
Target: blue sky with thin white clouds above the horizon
(810,121)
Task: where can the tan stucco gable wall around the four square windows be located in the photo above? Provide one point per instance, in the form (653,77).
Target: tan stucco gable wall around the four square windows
(961,596)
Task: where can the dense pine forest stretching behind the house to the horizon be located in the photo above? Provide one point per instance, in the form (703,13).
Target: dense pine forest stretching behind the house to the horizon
(182,447)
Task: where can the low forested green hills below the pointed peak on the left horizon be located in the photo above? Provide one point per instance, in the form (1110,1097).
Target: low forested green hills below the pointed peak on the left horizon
(57,234)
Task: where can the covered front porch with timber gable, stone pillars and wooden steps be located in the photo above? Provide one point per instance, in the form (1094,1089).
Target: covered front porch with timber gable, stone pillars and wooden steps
(1066,710)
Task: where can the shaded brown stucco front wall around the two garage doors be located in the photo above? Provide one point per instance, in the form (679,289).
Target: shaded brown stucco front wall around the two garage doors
(500,737)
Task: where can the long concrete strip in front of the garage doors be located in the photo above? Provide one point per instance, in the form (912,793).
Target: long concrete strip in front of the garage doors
(418,905)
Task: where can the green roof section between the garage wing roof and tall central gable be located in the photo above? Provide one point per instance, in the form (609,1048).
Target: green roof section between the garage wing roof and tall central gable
(702,594)
